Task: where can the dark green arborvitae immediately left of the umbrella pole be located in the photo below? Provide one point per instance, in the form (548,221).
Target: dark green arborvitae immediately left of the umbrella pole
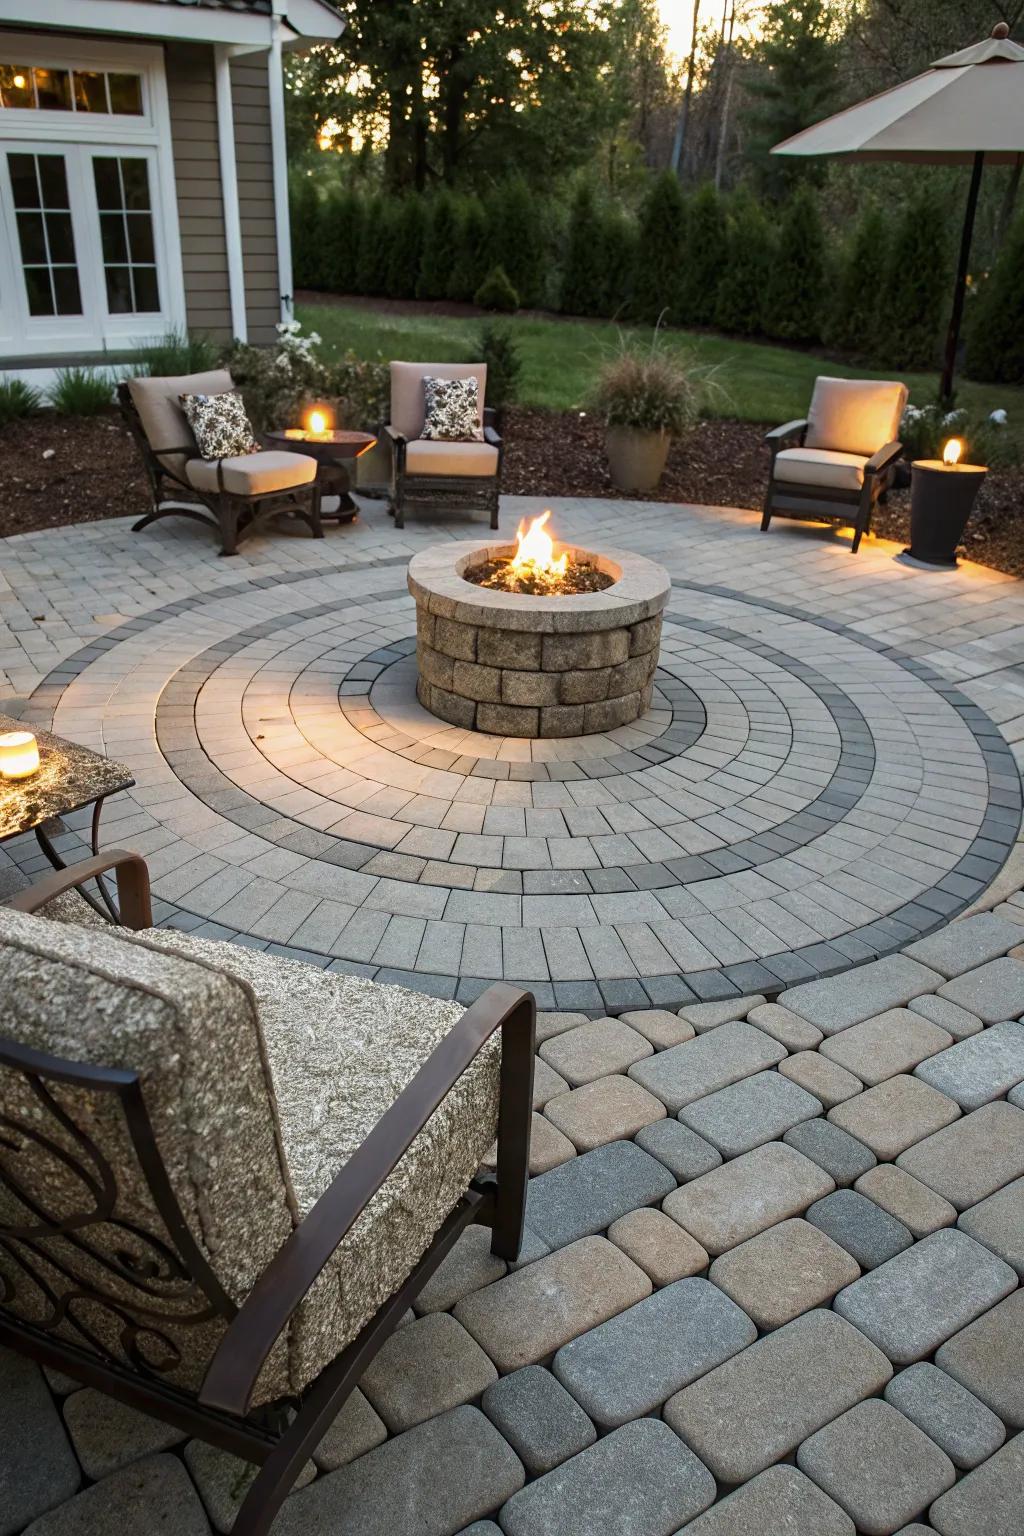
(916,294)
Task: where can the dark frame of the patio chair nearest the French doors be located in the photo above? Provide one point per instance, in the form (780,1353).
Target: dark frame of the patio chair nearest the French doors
(231,515)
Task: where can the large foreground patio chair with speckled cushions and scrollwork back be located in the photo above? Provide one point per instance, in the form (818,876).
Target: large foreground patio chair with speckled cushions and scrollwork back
(226,1176)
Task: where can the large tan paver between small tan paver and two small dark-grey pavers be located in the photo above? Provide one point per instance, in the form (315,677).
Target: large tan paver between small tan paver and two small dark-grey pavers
(744,1197)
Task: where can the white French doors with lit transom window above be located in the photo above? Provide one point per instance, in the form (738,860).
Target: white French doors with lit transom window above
(90,256)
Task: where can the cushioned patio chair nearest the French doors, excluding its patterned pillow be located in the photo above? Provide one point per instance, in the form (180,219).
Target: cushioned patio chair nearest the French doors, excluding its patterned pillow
(236,495)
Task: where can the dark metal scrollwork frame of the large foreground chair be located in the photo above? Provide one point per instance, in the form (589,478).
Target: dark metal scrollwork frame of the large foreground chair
(282,1438)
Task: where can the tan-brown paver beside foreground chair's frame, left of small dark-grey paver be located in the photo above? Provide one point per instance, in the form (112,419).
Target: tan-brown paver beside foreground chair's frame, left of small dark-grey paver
(426,1369)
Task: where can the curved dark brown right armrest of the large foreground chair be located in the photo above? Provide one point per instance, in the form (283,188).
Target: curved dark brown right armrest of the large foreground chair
(266,1313)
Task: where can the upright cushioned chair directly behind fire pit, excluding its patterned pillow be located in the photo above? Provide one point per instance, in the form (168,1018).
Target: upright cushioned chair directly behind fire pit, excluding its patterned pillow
(440,474)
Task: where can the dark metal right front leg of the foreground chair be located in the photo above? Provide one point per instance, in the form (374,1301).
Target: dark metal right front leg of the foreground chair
(515,1117)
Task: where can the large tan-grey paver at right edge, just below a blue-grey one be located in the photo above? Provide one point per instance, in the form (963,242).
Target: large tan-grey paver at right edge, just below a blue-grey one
(971,1159)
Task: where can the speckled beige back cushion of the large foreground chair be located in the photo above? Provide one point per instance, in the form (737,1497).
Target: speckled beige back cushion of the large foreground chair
(191,1034)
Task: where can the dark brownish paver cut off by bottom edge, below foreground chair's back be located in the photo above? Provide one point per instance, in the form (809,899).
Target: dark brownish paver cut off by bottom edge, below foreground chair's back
(151,1495)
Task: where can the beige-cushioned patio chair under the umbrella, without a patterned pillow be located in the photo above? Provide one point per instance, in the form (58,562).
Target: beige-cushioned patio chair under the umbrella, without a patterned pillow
(836,465)
